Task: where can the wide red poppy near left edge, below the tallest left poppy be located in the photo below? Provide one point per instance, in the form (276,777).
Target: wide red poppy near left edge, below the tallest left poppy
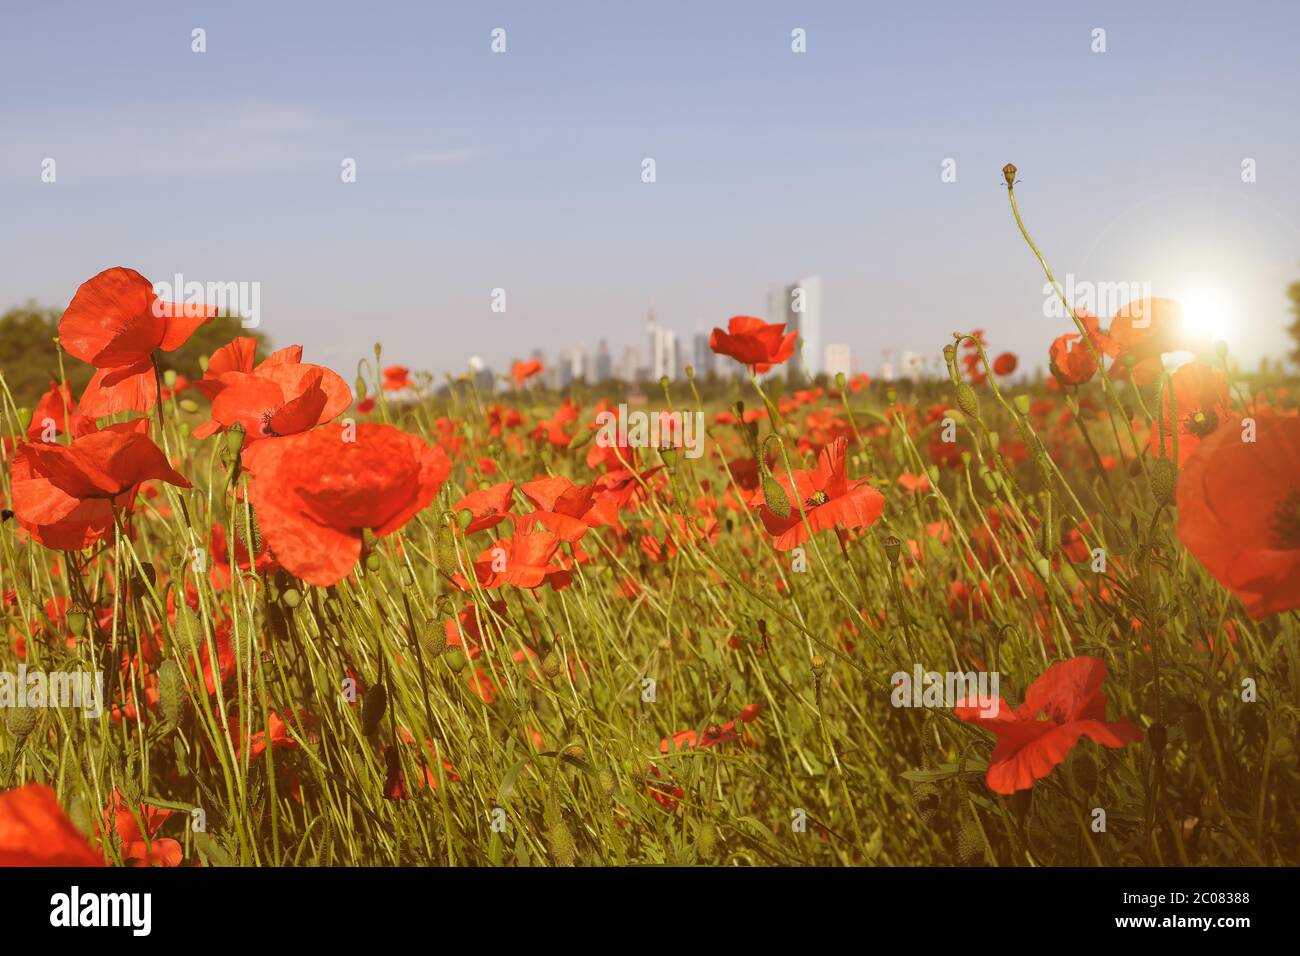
(66,495)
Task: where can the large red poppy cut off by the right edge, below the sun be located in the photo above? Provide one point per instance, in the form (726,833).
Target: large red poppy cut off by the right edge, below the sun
(1240,512)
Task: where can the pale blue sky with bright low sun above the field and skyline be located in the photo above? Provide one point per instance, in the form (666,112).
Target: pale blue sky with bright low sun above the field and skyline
(523,171)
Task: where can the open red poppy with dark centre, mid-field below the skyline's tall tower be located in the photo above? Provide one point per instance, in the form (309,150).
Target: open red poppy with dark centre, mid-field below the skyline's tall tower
(830,500)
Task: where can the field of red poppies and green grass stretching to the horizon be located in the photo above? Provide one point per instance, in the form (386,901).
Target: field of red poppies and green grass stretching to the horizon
(987,620)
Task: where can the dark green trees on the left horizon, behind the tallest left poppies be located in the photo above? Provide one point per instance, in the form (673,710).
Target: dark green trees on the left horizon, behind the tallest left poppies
(29,360)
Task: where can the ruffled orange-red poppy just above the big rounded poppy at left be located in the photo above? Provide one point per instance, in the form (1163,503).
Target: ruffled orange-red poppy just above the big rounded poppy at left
(279,397)
